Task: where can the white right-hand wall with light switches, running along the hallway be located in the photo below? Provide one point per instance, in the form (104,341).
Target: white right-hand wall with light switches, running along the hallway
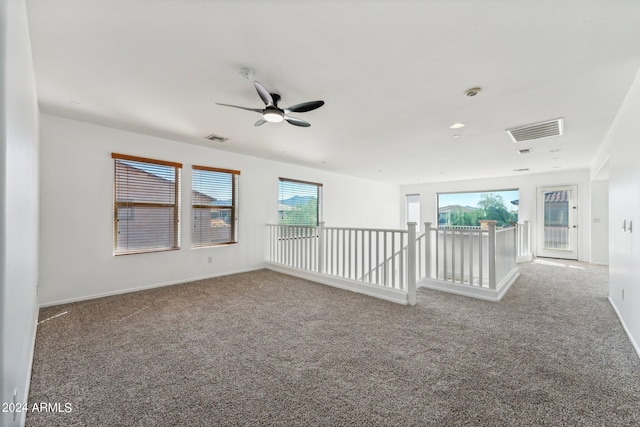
(623,148)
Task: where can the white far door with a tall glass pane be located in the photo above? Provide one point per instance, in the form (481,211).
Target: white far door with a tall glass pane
(557,222)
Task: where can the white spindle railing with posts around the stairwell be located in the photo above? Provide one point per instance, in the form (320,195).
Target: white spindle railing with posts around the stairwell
(398,260)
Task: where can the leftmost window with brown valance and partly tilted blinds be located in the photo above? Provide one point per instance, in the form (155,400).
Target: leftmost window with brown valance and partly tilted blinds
(146,205)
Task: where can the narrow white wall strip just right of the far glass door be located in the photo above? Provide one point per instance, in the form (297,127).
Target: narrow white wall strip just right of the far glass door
(600,222)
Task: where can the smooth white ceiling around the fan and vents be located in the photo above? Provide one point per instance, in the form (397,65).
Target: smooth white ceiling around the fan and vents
(392,74)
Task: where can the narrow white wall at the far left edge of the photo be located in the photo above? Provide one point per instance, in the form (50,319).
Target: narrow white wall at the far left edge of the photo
(18,207)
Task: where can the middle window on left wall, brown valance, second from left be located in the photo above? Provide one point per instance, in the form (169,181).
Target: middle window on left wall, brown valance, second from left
(214,200)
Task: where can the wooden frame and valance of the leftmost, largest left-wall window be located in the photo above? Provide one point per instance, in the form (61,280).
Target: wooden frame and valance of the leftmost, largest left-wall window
(131,204)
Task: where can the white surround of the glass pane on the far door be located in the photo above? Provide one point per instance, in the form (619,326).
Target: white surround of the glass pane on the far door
(573,218)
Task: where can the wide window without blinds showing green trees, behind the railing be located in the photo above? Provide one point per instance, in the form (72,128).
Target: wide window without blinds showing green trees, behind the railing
(467,209)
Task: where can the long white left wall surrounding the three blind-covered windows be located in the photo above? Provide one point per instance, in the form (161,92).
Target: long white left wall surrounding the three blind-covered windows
(77,211)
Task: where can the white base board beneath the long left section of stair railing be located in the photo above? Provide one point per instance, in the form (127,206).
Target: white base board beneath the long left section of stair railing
(392,295)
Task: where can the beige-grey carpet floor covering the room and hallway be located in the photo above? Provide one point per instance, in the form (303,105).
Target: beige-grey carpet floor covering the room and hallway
(262,348)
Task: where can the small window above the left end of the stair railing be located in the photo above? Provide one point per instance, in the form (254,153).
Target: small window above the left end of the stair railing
(299,202)
